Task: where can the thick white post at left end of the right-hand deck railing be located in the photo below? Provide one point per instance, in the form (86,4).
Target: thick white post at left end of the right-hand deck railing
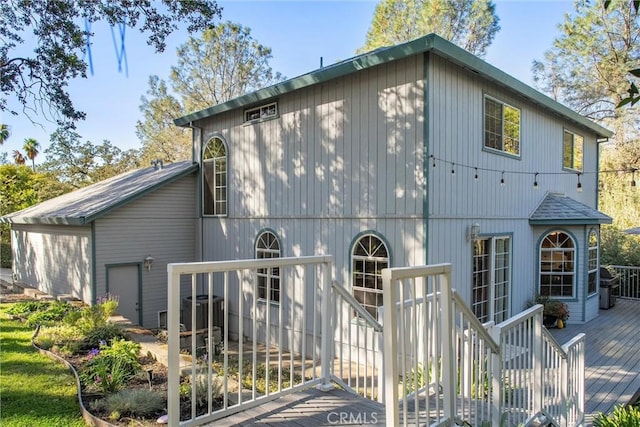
(390,356)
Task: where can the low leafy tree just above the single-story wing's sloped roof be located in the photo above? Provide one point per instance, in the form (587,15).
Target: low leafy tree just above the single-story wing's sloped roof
(77,164)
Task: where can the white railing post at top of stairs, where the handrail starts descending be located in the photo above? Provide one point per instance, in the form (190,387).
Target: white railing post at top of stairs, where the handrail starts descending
(448,353)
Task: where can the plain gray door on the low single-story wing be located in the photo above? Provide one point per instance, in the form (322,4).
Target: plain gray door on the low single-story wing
(123,281)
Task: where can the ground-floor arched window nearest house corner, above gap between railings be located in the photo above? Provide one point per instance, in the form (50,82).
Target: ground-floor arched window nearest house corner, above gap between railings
(369,257)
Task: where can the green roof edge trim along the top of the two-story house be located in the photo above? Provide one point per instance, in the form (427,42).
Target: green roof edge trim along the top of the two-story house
(427,43)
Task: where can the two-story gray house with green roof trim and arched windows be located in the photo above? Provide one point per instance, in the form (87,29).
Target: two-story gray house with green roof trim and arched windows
(414,154)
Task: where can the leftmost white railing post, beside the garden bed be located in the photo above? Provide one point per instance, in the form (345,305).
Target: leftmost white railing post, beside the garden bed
(173,328)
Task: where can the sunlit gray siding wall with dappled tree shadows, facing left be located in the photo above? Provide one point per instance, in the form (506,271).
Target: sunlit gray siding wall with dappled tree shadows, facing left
(342,158)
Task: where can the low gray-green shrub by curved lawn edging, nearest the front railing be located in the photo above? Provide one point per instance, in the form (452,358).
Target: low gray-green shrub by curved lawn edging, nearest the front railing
(131,403)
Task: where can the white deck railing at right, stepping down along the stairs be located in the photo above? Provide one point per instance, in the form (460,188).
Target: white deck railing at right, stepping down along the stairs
(453,369)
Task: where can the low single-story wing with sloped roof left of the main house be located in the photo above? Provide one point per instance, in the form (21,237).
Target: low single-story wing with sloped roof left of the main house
(115,236)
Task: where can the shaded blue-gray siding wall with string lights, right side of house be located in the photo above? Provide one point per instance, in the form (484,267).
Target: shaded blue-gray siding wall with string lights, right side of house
(455,114)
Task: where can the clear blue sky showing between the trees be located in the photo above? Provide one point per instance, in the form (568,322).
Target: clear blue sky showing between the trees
(299,32)
